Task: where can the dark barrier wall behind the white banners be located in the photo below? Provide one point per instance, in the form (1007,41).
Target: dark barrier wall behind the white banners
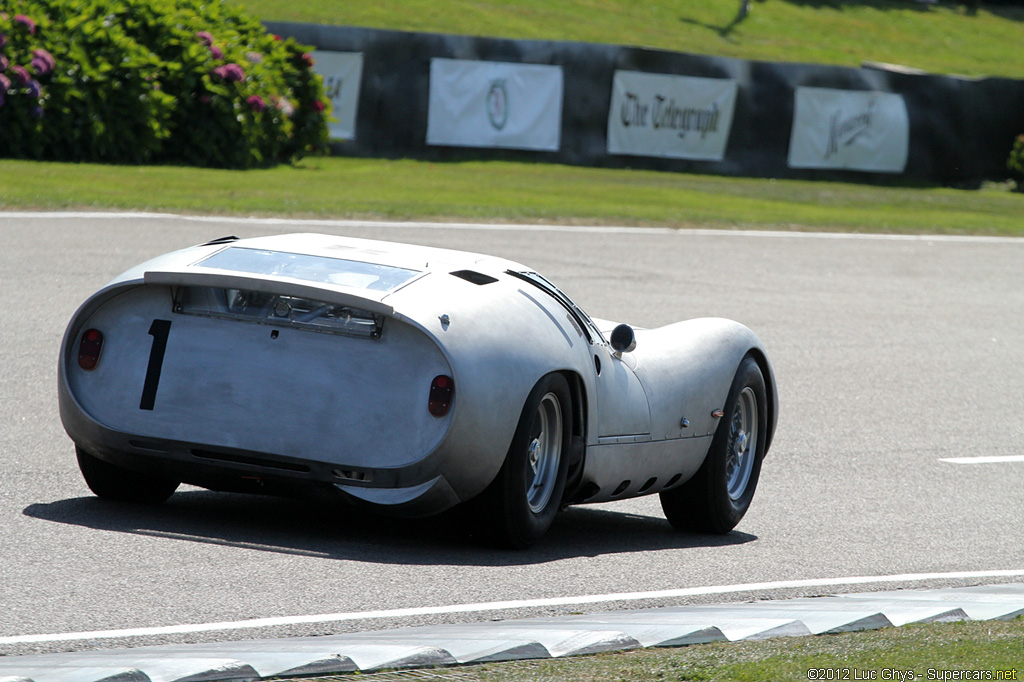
(962,131)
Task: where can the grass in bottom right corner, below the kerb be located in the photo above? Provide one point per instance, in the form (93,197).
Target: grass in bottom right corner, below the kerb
(990,650)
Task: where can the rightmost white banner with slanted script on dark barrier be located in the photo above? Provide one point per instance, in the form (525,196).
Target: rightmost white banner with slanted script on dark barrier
(849,130)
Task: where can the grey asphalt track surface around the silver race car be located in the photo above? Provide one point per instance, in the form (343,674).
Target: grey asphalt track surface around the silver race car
(893,356)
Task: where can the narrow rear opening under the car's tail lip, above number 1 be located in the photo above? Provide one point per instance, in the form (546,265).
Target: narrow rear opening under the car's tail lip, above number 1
(278,310)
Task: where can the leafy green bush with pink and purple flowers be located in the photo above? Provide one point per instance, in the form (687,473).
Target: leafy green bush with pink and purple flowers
(144,81)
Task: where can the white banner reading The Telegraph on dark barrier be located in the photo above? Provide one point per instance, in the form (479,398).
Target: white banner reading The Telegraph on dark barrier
(681,117)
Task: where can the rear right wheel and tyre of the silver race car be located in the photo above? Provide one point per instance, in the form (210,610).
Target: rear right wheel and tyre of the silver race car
(522,503)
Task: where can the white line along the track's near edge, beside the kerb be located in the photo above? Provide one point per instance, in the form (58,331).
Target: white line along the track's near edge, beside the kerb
(504,606)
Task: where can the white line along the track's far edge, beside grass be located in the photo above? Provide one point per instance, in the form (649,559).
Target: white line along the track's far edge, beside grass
(608,230)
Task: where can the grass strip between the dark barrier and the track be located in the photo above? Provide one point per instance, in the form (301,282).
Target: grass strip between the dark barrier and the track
(499,192)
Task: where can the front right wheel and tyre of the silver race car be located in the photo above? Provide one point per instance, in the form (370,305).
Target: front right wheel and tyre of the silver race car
(718,496)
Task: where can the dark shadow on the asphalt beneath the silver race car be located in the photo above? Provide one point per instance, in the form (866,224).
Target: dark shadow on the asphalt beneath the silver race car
(337,532)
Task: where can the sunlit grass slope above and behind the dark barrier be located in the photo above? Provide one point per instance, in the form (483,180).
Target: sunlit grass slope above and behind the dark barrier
(946,37)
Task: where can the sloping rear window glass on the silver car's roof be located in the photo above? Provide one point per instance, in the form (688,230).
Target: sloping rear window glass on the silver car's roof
(311,269)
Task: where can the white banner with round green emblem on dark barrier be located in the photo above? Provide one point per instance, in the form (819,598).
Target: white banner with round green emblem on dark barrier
(494,104)
